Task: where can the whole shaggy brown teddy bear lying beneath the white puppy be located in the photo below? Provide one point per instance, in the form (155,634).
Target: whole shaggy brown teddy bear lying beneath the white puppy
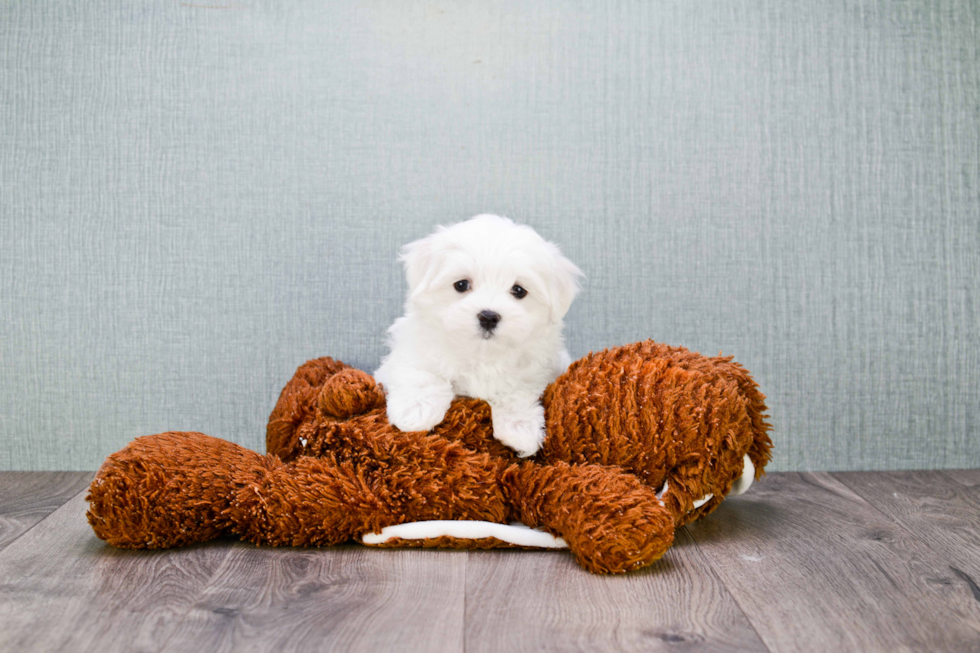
(640,439)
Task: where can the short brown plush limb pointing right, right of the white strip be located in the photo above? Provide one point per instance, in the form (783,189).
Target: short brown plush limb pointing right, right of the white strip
(611,521)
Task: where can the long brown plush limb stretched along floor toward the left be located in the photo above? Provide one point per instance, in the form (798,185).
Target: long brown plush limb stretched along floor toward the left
(174,489)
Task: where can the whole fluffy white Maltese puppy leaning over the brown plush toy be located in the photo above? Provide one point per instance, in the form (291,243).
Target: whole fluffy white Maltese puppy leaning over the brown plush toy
(486,298)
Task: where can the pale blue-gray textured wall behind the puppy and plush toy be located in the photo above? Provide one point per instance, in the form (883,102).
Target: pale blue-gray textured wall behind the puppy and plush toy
(197,197)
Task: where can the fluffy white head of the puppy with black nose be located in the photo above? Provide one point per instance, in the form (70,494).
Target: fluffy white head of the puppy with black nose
(488,279)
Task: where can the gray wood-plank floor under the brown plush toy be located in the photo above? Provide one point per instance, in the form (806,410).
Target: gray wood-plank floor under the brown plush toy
(803,562)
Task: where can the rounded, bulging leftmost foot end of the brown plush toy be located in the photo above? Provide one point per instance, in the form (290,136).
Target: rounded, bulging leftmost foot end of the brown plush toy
(167,490)
